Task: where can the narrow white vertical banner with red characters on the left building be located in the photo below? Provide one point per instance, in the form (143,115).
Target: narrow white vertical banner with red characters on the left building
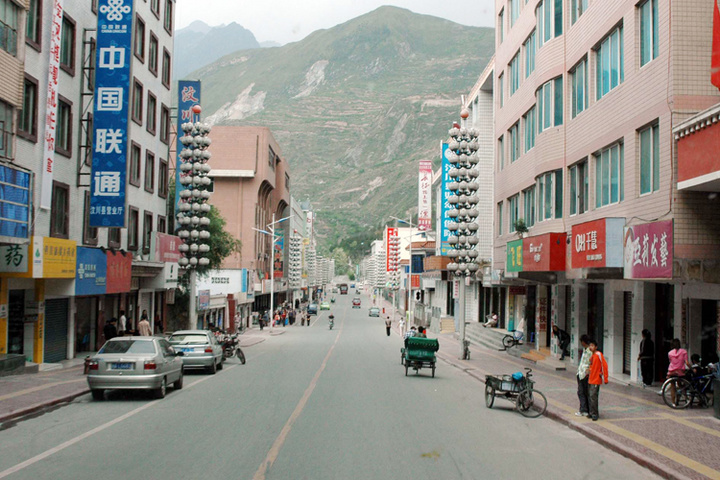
(51,105)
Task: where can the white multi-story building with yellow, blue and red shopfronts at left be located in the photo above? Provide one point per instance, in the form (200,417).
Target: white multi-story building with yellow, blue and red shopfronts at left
(58,306)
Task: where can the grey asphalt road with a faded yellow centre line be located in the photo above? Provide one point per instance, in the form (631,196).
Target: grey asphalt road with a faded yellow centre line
(312,403)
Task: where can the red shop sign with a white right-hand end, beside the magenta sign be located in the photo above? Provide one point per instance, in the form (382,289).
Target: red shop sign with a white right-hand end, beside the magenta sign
(597,244)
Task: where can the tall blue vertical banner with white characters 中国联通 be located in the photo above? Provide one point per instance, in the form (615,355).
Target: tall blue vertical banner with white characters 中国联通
(110,129)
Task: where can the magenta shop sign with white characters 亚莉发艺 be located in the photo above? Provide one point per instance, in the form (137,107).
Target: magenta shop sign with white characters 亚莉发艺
(649,250)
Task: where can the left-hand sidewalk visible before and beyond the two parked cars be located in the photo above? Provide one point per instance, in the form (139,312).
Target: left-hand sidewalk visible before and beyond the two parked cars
(22,395)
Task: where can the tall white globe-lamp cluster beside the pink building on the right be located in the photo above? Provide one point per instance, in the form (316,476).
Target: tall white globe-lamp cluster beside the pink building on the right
(463,146)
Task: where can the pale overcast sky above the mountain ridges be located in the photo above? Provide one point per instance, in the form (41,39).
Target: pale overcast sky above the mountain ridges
(285,21)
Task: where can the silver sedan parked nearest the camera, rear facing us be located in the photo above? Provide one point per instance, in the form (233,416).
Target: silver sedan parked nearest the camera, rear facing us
(135,363)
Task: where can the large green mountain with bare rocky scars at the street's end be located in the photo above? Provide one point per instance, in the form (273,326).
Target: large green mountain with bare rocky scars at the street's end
(354,108)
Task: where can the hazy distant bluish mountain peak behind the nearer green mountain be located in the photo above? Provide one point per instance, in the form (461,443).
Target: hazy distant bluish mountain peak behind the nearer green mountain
(201,41)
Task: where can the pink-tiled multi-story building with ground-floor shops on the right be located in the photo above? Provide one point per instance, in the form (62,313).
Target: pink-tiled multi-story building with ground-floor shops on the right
(591,231)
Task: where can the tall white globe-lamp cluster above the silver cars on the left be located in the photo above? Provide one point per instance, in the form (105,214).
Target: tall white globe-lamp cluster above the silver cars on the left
(193,208)
